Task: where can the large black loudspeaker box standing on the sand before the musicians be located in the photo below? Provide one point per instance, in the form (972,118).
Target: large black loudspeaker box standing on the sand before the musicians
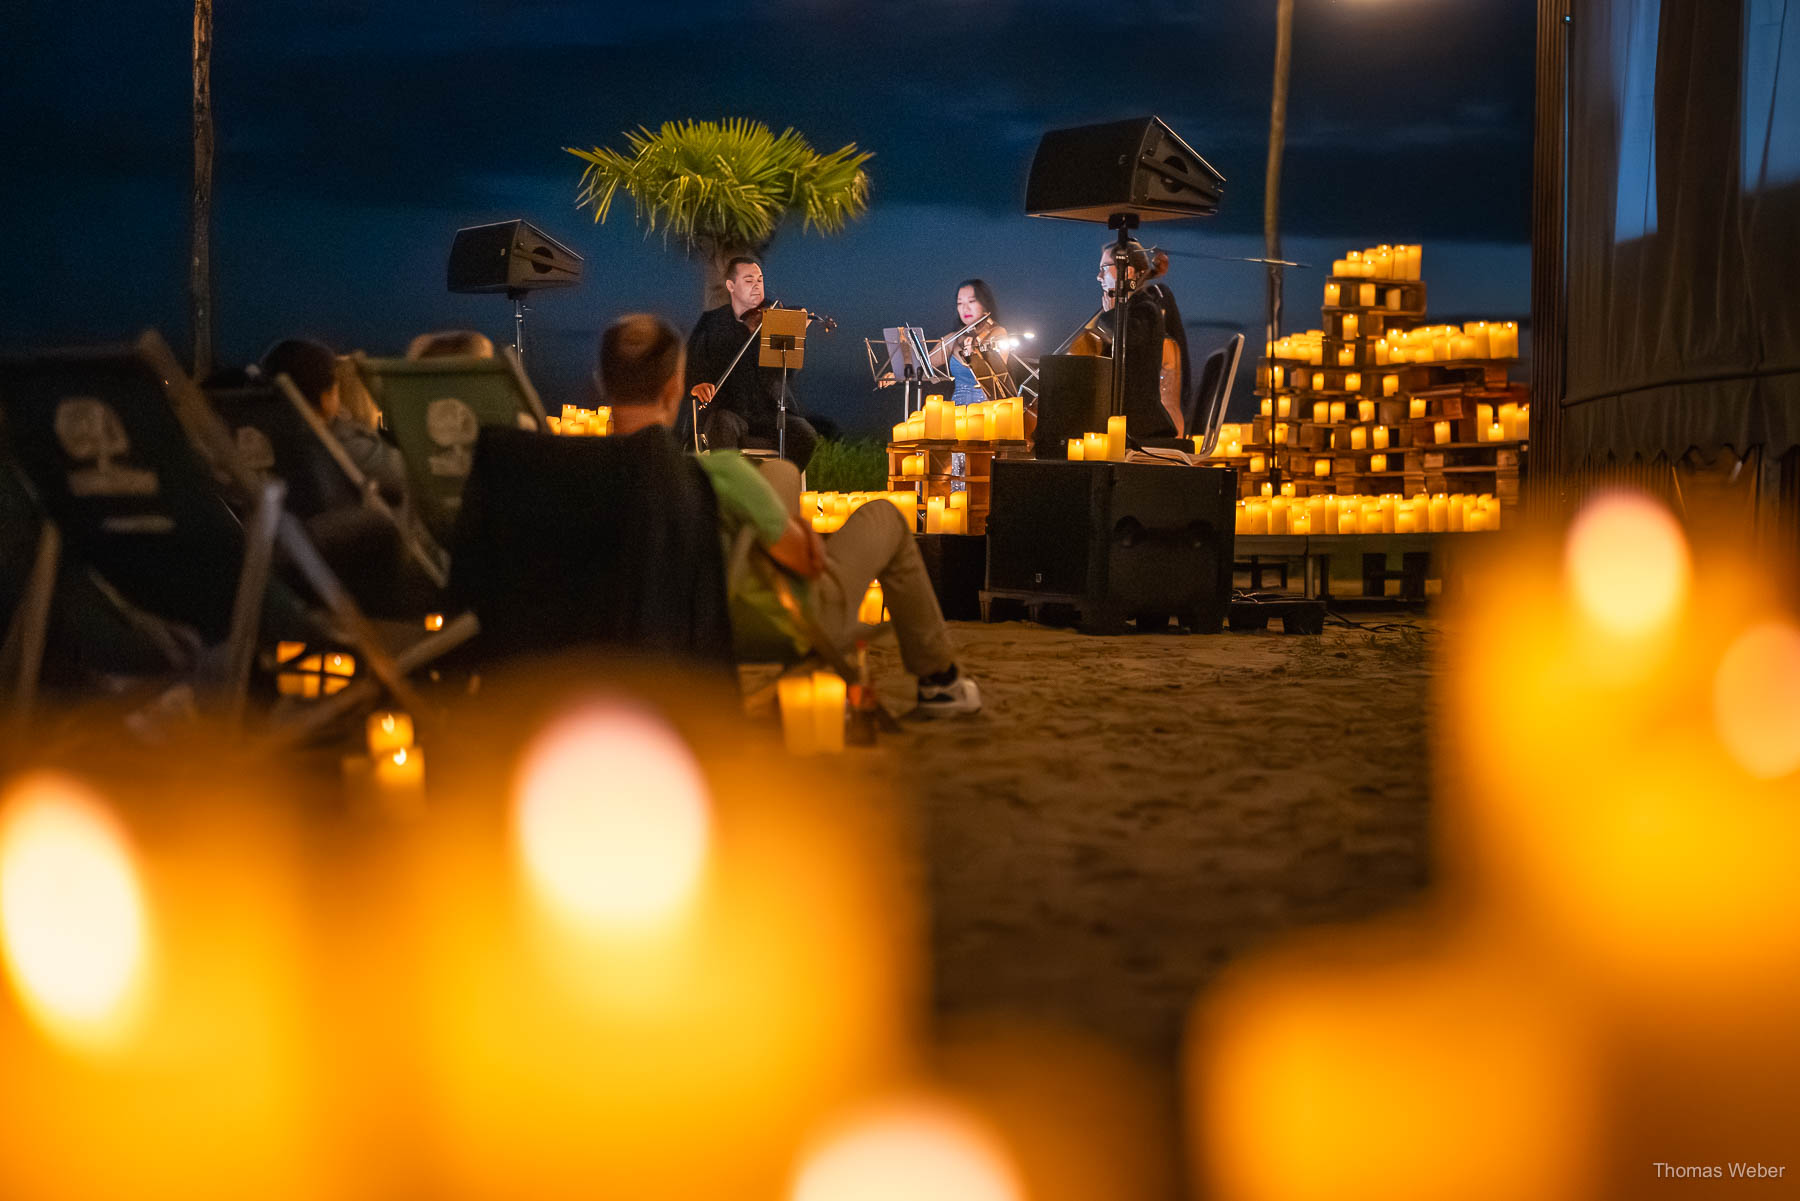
(1117,541)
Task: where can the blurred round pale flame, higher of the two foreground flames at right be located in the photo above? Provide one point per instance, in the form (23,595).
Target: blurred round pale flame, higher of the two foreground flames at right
(1628,564)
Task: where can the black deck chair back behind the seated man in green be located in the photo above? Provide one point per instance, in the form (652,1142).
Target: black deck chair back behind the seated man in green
(591,543)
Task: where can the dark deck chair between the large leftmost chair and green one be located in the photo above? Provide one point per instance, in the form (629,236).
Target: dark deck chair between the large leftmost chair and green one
(280,435)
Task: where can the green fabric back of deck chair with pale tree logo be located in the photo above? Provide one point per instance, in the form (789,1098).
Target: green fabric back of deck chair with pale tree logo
(436,410)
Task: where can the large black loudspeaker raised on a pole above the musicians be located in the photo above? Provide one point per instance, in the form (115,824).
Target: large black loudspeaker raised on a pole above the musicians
(1138,167)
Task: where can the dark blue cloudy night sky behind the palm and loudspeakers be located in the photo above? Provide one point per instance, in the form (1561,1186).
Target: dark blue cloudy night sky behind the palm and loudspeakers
(357,136)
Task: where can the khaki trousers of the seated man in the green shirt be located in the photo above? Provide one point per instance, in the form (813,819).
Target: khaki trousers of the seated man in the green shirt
(874,545)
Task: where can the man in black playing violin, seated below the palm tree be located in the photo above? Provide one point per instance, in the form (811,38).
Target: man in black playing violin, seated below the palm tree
(744,411)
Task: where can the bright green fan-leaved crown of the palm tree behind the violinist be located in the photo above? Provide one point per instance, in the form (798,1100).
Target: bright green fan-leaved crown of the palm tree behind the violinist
(724,188)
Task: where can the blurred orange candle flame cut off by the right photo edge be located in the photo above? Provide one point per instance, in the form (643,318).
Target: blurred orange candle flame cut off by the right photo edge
(1758,700)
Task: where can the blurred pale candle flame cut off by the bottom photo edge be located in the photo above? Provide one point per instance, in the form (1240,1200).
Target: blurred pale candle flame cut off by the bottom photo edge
(904,1151)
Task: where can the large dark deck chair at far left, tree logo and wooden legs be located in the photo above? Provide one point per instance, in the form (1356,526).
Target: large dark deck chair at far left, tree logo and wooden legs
(138,474)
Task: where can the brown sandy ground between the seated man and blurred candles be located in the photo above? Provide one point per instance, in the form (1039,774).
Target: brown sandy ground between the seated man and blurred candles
(1129,815)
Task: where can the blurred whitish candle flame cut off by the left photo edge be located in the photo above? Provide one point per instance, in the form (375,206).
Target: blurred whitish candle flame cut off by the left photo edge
(73,917)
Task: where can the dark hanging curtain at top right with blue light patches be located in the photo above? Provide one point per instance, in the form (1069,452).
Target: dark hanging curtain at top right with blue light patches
(1684,230)
